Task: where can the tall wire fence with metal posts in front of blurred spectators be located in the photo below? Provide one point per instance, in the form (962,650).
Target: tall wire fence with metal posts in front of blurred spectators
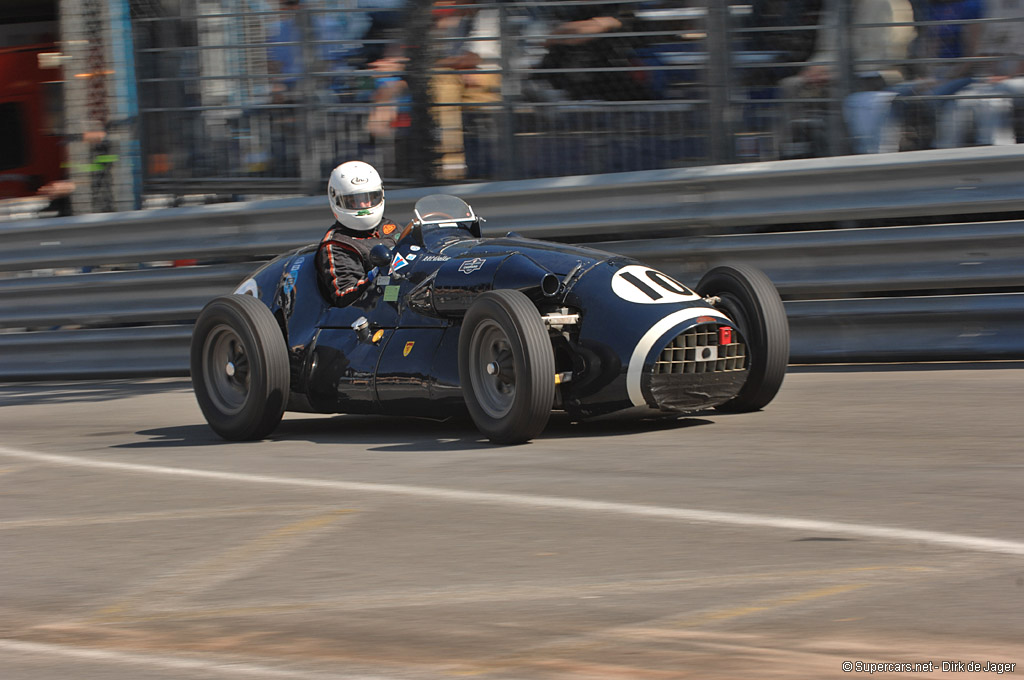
(262,97)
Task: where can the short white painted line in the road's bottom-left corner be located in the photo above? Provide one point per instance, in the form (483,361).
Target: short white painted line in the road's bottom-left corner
(172,663)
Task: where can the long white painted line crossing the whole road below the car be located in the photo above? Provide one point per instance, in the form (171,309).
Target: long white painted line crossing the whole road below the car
(969,543)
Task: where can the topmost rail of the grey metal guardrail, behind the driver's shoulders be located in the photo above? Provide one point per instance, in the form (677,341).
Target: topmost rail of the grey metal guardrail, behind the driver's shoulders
(655,203)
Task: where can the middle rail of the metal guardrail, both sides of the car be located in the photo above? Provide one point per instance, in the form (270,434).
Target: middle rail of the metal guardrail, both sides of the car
(966,259)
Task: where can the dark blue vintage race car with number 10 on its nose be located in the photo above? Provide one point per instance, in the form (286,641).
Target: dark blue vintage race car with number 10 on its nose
(508,329)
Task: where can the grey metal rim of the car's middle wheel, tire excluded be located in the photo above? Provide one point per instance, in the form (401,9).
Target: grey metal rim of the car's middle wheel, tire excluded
(493,369)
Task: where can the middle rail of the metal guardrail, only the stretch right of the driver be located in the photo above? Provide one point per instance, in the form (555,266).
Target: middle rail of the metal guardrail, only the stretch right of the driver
(964,258)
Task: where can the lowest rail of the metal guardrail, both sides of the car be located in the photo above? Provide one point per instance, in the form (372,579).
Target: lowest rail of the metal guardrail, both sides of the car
(868,330)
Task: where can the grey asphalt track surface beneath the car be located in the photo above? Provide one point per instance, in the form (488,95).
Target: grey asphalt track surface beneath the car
(869,517)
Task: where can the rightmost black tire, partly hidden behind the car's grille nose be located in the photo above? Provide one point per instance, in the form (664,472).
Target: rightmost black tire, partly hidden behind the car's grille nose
(749,297)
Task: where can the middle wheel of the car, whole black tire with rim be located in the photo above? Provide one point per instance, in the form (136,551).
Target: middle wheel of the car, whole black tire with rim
(511,401)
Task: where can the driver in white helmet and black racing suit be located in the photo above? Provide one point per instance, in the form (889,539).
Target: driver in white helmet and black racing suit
(357,198)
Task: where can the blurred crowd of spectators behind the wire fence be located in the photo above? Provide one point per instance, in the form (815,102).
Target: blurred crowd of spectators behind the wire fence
(804,78)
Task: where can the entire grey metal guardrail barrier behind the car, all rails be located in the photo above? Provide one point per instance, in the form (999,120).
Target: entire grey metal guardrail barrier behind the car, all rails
(947,291)
